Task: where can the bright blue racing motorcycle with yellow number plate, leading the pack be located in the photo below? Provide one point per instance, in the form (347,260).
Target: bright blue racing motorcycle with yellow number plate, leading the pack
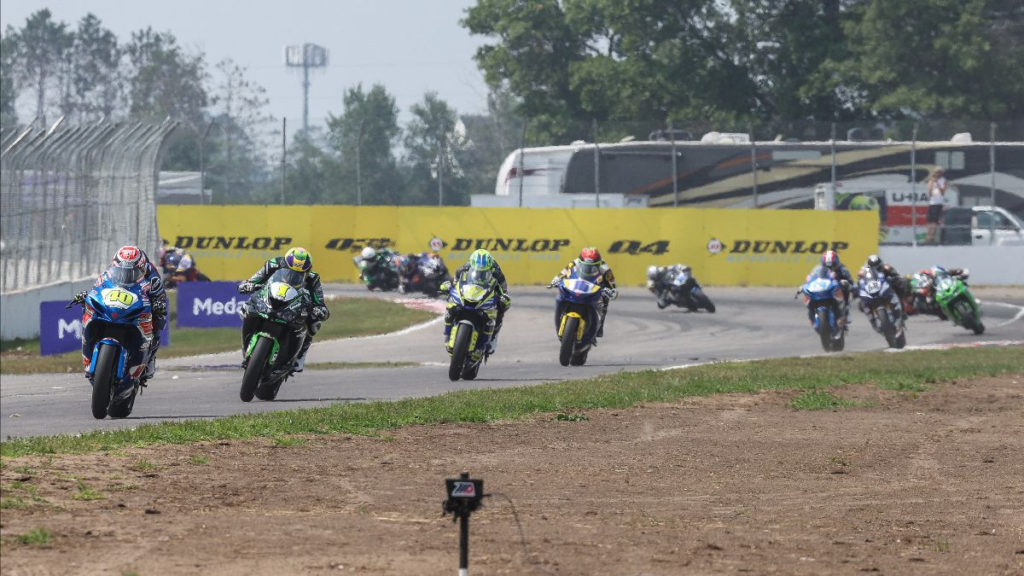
(119,316)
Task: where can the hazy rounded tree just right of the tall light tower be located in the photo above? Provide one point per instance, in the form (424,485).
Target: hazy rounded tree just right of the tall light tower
(365,137)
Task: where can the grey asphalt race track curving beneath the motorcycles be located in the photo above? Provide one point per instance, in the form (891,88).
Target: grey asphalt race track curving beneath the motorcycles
(750,323)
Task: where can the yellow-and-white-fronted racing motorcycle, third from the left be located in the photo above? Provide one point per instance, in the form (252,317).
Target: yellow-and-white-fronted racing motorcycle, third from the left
(473,304)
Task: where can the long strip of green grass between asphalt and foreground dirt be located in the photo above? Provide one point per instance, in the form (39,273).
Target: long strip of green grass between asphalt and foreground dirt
(909,371)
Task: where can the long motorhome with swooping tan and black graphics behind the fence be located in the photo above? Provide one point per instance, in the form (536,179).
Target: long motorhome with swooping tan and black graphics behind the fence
(731,172)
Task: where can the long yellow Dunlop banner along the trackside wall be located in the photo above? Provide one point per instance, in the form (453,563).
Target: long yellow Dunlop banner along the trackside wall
(724,246)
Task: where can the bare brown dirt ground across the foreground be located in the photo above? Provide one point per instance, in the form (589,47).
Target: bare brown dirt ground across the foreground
(901,485)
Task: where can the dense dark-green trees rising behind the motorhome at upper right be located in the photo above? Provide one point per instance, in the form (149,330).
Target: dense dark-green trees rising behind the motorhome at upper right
(709,64)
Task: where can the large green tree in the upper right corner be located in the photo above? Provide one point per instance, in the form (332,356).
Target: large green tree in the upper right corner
(937,59)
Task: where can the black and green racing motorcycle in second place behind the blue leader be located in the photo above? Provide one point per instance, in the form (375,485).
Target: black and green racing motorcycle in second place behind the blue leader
(274,325)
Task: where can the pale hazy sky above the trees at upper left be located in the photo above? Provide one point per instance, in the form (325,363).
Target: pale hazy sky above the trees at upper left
(409,47)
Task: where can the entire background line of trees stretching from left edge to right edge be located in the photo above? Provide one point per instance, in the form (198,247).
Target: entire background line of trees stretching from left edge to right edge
(558,71)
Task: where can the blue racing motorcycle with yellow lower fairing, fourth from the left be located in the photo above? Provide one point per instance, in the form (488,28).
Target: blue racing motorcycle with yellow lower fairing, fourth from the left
(577,316)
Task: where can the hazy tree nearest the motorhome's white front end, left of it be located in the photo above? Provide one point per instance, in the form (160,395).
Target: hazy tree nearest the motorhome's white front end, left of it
(436,141)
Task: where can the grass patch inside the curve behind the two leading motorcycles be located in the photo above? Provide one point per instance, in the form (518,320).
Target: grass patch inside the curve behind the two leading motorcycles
(350,317)
